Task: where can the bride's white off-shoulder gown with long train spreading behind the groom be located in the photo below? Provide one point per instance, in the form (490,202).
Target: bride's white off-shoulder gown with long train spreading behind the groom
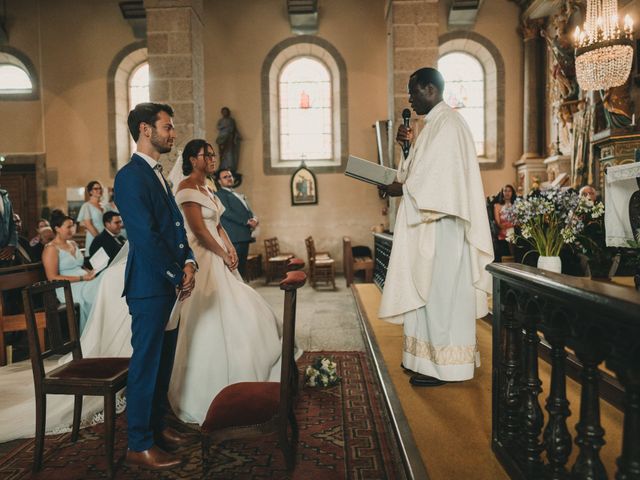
(228,334)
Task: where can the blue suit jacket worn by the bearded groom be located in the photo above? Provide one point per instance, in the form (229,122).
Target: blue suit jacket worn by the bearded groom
(158,246)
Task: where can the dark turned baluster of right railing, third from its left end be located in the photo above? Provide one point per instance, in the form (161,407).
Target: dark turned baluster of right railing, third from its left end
(556,436)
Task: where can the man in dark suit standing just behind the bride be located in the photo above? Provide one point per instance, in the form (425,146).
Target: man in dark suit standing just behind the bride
(238,219)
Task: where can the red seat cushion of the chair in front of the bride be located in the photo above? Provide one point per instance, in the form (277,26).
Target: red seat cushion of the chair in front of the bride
(243,404)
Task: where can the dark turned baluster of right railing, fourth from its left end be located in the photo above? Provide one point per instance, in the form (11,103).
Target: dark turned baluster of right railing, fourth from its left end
(590,434)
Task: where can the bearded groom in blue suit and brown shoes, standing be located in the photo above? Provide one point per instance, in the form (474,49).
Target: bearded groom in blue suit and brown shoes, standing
(160,268)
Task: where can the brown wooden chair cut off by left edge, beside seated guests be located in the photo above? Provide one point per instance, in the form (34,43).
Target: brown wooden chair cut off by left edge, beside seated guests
(12,317)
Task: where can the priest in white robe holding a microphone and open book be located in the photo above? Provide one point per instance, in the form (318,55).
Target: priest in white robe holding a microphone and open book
(436,284)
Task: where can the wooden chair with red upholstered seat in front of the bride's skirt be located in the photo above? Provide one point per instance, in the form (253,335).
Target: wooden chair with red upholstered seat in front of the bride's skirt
(251,409)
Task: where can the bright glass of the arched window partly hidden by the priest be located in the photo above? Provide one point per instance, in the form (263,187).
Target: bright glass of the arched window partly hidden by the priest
(464,91)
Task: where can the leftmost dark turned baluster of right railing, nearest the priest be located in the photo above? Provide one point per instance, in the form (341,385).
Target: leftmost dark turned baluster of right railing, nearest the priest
(511,369)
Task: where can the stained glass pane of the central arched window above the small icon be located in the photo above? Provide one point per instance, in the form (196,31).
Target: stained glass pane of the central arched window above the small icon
(305,110)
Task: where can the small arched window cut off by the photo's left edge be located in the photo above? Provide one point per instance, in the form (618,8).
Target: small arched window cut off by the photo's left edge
(17,77)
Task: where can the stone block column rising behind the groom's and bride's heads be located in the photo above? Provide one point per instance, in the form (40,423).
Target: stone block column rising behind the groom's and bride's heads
(176,64)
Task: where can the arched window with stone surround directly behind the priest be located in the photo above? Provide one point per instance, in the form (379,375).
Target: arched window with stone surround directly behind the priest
(474,74)
